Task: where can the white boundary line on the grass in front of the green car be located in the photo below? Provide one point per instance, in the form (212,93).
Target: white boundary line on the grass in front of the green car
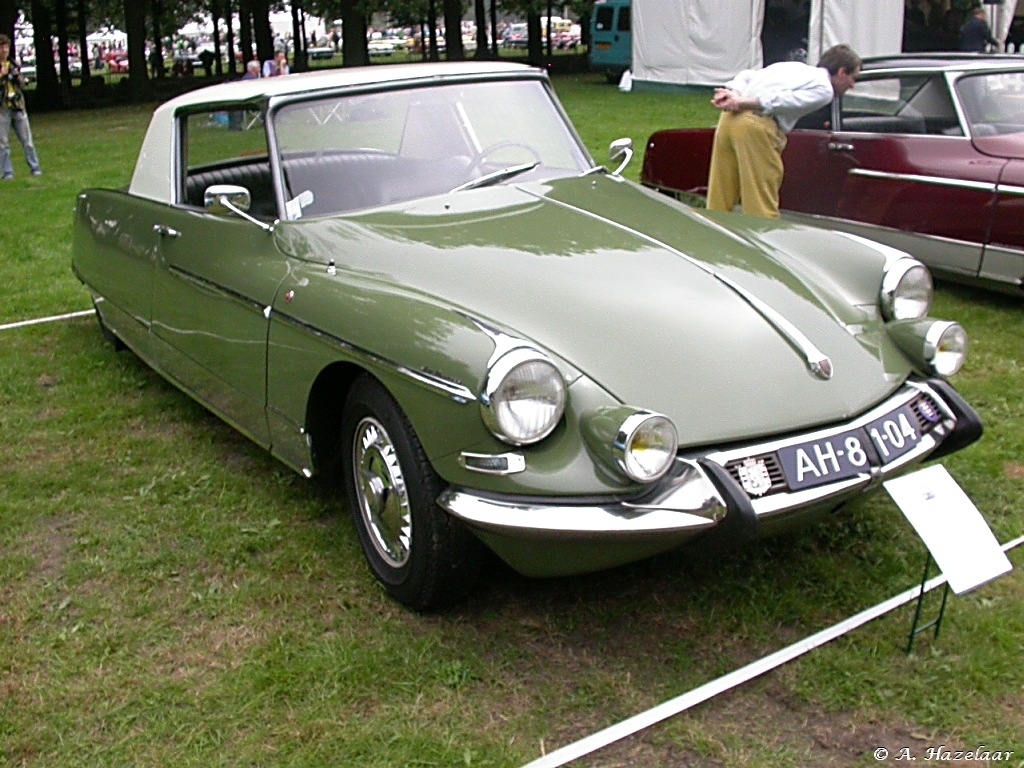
(647,719)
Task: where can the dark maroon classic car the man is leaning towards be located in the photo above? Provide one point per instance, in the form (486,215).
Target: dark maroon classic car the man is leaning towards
(926,154)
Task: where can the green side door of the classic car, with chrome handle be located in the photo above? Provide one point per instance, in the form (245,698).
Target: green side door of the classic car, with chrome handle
(217,278)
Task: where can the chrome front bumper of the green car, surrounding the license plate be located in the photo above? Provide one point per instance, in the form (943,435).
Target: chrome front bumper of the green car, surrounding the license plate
(703,493)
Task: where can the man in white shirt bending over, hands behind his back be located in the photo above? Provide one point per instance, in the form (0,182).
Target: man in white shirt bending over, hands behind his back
(759,108)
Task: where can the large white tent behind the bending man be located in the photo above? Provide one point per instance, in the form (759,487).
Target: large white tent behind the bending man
(706,42)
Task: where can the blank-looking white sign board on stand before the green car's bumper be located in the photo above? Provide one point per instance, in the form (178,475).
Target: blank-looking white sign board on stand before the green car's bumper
(952,528)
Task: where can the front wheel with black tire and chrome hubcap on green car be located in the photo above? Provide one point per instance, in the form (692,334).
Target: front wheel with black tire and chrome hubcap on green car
(423,558)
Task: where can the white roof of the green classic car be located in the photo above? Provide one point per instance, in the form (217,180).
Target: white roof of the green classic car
(155,169)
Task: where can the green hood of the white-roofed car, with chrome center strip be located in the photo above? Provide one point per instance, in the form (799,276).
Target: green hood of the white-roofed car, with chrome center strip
(648,298)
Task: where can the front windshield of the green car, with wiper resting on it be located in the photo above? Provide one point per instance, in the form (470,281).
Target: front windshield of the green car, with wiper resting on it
(356,152)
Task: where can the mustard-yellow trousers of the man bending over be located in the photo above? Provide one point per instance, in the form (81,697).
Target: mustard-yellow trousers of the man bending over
(746,164)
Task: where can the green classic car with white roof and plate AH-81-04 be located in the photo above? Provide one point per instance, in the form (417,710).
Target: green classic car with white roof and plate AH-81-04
(415,281)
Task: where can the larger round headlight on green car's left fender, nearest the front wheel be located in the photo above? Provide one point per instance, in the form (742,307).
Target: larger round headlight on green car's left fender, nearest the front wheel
(524,398)
